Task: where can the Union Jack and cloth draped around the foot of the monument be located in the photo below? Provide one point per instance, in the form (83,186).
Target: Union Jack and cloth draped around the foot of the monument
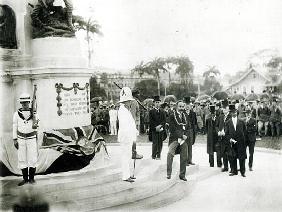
(61,150)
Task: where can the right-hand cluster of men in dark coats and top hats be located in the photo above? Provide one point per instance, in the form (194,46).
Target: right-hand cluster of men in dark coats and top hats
(229,136)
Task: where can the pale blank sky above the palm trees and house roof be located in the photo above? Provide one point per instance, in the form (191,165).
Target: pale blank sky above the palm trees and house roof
(223,33)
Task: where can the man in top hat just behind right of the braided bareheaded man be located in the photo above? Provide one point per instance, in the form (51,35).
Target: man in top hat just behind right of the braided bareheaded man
(190,129)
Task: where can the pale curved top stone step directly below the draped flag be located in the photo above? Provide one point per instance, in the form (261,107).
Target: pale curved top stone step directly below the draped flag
(74,179)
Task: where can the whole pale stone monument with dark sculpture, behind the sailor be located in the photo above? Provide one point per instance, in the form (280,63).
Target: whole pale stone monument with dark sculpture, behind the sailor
(54,64)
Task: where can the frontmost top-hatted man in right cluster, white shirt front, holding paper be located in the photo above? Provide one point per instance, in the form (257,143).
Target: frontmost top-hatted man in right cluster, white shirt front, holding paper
(235,134)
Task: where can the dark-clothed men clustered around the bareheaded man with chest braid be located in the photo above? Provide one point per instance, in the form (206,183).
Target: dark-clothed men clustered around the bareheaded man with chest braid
(179,124)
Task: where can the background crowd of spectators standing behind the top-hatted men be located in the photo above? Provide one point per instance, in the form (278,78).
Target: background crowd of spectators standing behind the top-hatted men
(267,113)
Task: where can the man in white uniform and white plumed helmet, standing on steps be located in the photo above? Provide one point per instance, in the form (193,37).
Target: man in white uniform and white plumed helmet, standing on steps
(127,134)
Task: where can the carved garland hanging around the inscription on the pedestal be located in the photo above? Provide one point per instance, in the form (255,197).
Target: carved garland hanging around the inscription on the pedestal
(59,87)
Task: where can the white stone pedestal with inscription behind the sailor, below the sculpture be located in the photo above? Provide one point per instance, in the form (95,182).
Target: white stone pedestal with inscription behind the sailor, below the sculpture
(60,73)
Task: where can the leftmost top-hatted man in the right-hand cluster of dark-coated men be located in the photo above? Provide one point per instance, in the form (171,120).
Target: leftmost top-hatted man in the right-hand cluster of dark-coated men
(212,138)
